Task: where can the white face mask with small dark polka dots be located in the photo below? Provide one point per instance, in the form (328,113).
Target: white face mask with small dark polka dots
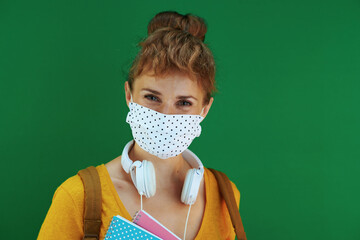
(162,135)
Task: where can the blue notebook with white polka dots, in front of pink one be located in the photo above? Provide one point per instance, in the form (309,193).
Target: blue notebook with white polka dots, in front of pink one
(122,229)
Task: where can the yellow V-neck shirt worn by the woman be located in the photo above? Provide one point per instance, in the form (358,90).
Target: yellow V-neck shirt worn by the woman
(64,219)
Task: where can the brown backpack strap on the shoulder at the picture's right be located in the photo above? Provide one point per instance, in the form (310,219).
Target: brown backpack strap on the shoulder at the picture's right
(228,195)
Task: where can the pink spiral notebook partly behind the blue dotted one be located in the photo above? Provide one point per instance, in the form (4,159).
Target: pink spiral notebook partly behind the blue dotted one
(146,221)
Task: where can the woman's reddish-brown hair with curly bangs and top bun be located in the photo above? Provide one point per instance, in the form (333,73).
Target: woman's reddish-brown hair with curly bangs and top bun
(175,45)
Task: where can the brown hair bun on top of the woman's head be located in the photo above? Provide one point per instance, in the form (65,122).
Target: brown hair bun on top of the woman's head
(194,25)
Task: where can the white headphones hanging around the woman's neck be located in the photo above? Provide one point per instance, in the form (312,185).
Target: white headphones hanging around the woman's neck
(143,175)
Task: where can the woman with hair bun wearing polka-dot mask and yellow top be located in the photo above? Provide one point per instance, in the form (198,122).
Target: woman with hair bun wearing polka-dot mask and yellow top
(169,92)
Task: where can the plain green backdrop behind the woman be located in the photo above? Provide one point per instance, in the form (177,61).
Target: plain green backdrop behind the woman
(284,125)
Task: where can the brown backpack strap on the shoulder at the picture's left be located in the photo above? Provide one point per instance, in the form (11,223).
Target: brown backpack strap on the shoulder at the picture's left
(92,212)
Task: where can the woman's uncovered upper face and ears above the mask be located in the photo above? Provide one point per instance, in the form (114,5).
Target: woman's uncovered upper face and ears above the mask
(173,94)
